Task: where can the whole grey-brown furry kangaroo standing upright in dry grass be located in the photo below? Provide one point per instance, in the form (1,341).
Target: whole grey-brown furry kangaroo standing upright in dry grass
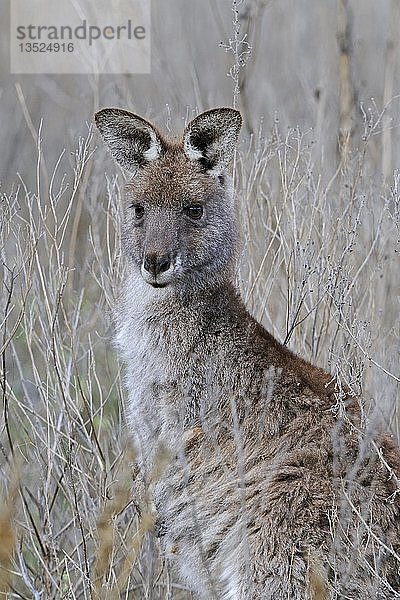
(270,492)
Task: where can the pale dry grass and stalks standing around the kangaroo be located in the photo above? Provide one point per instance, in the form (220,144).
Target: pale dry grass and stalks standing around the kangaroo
(319,269)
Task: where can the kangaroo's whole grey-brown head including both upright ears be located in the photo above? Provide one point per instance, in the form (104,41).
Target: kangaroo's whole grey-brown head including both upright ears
(178,218)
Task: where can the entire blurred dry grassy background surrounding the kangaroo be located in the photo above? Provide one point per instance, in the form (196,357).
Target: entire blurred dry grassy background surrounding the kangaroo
(319,202)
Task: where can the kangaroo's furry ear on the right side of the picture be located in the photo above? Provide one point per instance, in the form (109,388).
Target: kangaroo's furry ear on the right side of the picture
(212,137)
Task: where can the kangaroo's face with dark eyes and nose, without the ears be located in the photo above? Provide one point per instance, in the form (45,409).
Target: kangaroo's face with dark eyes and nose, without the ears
(176,217)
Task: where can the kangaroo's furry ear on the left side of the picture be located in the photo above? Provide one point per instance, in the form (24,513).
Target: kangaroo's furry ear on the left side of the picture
(131,140)
